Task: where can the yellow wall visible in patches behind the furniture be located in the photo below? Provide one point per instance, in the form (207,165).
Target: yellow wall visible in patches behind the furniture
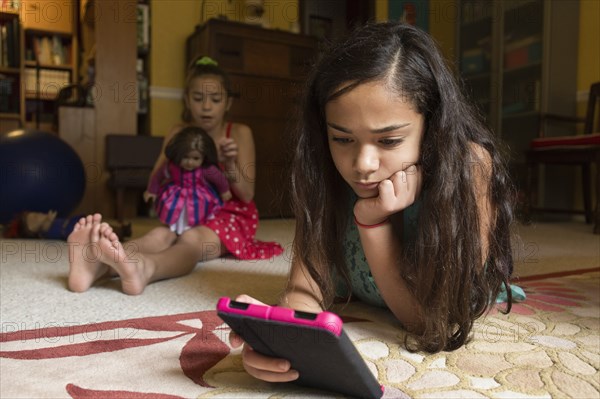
(174,20)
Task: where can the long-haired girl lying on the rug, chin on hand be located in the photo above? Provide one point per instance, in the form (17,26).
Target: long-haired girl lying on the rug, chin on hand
(414,202)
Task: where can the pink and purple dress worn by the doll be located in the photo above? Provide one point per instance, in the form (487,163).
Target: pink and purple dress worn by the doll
(187,198)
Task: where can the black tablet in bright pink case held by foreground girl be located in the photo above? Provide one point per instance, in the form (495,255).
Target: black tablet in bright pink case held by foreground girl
(315,344)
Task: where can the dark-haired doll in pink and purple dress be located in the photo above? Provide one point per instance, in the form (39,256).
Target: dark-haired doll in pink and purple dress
(189,187)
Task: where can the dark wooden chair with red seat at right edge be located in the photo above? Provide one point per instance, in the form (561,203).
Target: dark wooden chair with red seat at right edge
(581,150)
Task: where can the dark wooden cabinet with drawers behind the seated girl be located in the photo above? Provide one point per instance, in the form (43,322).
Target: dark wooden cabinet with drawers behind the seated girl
(267,70)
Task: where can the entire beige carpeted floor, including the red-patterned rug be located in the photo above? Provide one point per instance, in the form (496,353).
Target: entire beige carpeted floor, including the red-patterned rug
(168,342)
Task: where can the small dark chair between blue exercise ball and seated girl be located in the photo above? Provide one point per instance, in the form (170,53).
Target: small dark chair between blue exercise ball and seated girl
(130,160)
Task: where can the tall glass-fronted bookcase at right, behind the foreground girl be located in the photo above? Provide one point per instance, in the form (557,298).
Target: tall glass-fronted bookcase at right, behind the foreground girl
(517,59)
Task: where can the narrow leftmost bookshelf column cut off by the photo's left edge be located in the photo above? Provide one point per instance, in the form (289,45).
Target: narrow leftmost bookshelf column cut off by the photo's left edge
(11,70)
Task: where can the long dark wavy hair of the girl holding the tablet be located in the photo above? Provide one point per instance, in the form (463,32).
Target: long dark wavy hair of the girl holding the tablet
(443,268)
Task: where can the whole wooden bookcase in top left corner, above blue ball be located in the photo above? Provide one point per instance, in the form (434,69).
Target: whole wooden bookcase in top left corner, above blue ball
(38,57)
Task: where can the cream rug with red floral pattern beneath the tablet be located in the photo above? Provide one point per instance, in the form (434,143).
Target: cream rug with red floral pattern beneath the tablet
(547,347)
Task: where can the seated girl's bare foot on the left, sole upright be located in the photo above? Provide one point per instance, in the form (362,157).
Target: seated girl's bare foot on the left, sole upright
(85,266)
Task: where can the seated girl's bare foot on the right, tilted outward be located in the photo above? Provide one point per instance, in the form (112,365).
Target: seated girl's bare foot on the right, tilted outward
(132,266)
